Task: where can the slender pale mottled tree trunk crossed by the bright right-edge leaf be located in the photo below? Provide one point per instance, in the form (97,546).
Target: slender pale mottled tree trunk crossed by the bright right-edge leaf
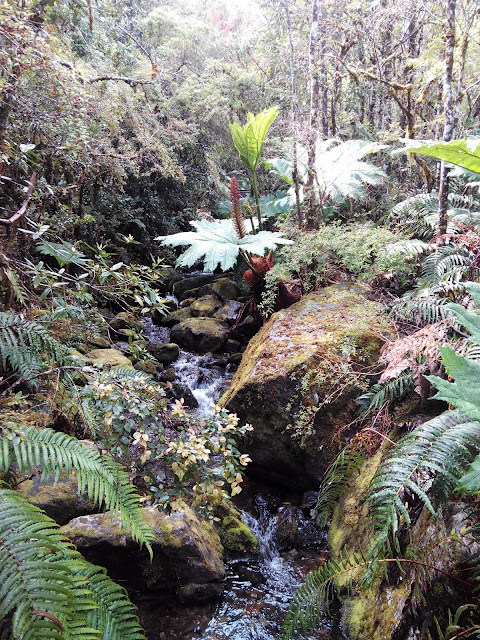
(449,116)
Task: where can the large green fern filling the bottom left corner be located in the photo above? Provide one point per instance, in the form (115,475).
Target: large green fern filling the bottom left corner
(48,590)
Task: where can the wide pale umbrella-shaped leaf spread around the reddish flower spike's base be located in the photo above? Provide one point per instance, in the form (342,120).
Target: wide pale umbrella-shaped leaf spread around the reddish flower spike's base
(217,243)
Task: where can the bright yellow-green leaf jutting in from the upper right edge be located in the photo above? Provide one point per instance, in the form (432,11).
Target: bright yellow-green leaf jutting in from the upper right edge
(463,153)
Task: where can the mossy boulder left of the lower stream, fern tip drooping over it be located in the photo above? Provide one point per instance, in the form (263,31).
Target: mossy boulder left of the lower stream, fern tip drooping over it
(187,549)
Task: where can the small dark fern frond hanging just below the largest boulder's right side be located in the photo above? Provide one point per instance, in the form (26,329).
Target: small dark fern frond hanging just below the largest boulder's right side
(334,484)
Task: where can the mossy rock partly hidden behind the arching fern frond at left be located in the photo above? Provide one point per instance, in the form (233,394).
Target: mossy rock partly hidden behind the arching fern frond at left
(59,500)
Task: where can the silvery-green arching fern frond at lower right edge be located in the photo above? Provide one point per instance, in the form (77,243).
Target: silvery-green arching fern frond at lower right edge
(441,447)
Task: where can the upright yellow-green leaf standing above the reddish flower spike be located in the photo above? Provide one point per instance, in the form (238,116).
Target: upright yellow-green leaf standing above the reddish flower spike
(250,137)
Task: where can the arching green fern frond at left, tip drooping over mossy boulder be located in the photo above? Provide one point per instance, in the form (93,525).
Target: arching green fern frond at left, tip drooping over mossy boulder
(101,478)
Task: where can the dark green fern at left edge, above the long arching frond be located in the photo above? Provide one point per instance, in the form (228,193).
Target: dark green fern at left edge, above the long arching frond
(26,346)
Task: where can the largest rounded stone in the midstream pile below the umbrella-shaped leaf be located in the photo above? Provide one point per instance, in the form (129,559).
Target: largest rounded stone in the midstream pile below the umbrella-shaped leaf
(200,334)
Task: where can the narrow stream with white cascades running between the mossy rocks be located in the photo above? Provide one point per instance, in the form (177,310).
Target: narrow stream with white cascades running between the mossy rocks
(257,588)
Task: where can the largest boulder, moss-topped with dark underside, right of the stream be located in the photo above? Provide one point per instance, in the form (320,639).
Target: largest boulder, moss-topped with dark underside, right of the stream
(291,366)
